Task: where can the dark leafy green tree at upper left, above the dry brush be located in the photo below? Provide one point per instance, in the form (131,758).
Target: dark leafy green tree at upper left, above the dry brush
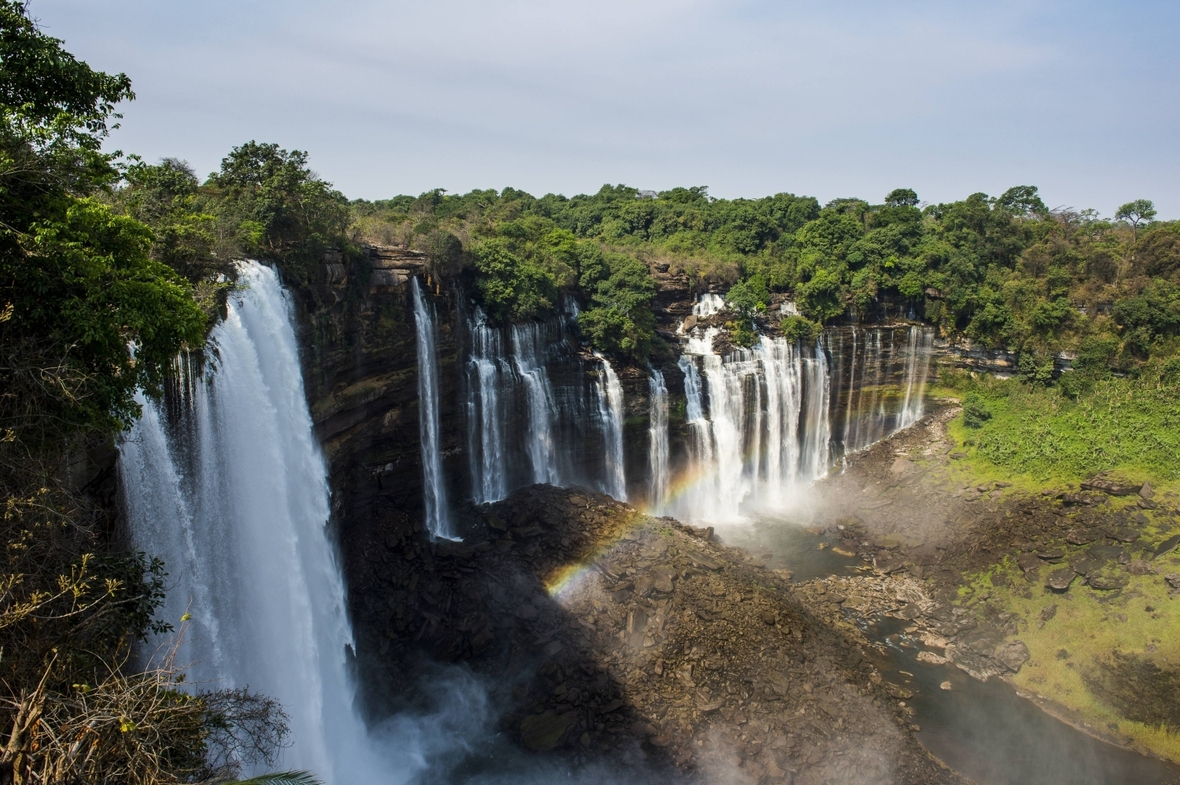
(77,285)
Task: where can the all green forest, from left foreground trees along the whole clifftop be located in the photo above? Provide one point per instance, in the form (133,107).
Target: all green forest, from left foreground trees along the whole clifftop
(110,266)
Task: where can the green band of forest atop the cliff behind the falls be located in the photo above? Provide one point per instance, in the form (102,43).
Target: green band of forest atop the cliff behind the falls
(1006,272)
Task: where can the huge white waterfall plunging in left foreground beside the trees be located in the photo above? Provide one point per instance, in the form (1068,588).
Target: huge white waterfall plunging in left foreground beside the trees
(235,500)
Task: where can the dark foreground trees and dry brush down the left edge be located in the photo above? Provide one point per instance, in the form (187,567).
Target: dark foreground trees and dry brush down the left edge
(90,313)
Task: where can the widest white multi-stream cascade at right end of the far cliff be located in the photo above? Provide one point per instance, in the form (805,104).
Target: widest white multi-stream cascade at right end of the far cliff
(769,421)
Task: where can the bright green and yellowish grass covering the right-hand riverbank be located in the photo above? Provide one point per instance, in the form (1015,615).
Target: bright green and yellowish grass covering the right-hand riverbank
(1113,657)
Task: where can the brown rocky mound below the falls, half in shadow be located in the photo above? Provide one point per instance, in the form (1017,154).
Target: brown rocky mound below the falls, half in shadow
(635,639)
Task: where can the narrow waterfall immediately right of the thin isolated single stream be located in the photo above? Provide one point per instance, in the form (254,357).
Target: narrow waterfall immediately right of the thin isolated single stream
(486,414)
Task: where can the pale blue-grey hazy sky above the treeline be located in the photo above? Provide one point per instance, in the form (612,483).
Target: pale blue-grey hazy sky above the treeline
(749,97)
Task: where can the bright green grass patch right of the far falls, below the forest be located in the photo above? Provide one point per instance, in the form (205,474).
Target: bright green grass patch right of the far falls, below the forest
(1123,426)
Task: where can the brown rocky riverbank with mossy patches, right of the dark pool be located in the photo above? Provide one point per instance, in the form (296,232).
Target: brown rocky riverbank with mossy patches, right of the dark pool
(1064,590)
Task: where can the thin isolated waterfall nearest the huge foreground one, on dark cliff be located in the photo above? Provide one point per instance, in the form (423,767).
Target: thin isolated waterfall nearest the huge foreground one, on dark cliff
(438,514)
